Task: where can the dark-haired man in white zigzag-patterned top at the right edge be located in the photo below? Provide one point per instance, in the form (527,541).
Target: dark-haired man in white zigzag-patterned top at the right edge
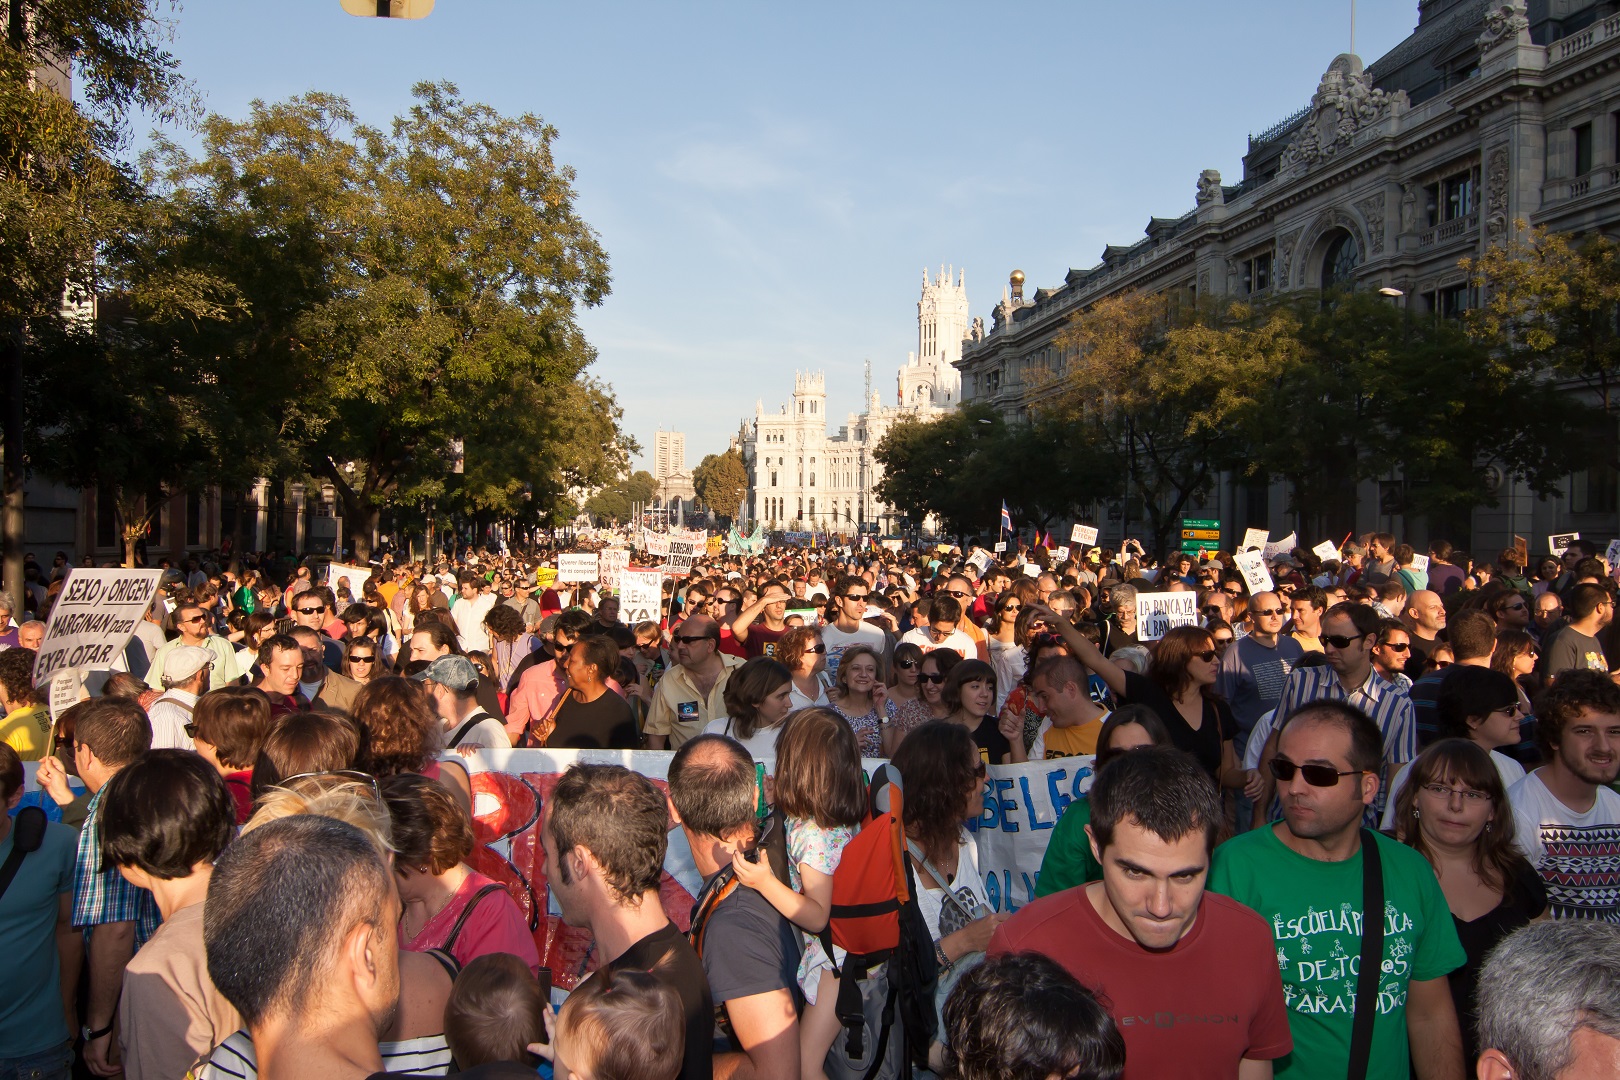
(1566,817)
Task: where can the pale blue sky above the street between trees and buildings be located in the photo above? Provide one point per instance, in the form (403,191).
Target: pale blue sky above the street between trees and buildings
(772,179)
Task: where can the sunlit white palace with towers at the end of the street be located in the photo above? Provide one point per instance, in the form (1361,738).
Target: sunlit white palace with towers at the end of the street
(803,477)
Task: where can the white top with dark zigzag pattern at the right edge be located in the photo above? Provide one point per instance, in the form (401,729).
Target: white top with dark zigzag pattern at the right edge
(1577,856)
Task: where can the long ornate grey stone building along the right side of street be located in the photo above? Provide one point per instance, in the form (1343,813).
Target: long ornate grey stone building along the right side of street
(1488,114)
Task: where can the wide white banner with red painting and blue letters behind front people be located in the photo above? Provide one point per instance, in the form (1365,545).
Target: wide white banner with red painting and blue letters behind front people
(1021,806)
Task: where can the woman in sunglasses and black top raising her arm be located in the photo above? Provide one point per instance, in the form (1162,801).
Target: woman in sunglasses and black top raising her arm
(1180,687)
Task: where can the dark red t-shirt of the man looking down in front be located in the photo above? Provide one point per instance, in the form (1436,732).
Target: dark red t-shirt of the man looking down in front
(1193,1011)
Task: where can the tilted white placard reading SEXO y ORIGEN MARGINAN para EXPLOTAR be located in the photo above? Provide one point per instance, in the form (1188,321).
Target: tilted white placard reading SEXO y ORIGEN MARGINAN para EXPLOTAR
(93,619)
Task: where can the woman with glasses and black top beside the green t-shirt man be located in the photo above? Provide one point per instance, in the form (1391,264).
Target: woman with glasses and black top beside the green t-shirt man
(1456,812)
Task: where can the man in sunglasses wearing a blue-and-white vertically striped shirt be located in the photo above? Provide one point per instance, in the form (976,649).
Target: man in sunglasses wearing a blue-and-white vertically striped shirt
(1349,636)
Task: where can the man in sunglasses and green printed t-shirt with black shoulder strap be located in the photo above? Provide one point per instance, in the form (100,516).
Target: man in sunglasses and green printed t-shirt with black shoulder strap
(1305,875)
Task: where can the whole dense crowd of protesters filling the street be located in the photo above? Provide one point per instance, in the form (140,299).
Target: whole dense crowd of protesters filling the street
(250,849)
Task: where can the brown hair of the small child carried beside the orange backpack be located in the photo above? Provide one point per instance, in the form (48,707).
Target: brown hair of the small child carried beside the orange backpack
(819,770)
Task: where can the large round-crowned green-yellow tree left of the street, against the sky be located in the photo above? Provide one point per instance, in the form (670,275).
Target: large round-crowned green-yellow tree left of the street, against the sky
(401,297)
